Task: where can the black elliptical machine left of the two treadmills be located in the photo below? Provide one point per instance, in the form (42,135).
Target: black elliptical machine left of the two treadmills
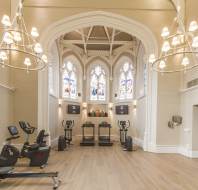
(65,141)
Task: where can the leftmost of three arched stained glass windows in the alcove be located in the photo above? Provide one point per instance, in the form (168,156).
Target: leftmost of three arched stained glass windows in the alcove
(69,80)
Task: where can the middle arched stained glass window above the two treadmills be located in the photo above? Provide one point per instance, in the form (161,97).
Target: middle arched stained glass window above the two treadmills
(98,84)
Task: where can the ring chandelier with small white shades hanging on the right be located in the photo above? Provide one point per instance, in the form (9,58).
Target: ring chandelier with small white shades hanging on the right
(179,51)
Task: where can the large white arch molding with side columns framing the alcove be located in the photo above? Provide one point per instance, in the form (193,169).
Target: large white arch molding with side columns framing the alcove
(119,22)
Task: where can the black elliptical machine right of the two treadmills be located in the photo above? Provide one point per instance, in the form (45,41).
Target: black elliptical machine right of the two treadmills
(125,140)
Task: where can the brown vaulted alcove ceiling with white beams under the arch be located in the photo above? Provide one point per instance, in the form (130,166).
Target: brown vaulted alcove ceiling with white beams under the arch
(99,38)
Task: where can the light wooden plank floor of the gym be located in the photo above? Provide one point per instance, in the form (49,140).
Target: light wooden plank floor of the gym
(109,168)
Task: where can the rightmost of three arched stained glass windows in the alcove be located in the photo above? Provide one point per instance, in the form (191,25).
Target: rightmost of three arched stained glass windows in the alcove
(126,81)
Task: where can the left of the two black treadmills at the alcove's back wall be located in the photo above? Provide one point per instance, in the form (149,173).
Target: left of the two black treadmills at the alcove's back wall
(88,140)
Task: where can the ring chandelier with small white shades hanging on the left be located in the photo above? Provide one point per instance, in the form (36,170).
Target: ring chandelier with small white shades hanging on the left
(16,41)
